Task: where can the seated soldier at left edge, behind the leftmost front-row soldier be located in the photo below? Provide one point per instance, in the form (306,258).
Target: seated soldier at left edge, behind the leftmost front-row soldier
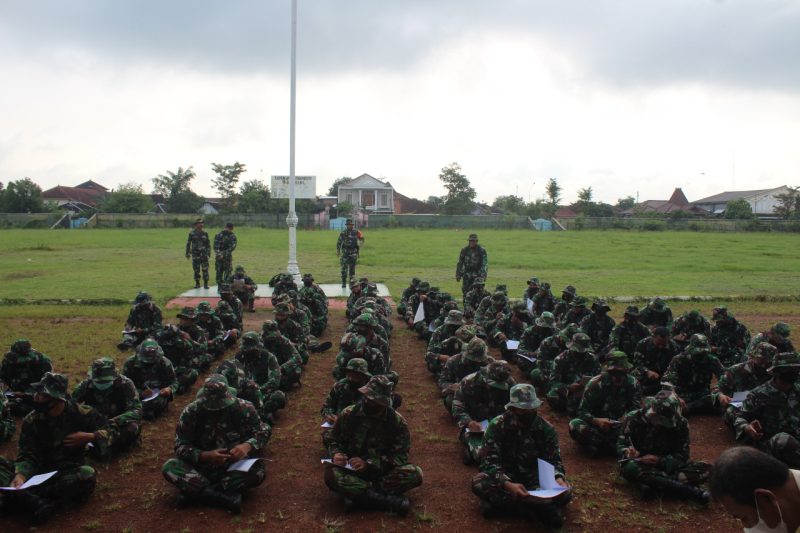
(21,367)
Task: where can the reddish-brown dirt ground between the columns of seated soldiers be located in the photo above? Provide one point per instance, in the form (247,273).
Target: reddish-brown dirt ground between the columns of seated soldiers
(132,496)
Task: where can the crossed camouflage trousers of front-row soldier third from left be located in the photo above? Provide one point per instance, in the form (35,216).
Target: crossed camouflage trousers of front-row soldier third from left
(349,483)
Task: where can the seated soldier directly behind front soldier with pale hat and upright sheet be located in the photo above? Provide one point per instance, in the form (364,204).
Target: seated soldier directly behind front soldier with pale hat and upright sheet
(480,397)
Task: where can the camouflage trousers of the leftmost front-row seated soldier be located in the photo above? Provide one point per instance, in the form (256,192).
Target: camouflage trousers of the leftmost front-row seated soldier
(69,484)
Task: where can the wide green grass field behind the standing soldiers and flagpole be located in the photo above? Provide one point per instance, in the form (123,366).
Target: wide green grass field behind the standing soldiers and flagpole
(115,264)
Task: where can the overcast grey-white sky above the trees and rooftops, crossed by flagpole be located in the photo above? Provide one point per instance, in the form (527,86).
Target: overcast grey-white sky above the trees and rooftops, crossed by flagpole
(626,96)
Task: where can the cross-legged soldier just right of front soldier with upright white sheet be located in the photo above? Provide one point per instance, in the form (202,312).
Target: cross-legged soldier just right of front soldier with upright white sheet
(654,451)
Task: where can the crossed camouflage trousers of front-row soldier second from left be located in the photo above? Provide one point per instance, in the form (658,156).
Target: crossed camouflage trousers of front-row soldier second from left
(192,479)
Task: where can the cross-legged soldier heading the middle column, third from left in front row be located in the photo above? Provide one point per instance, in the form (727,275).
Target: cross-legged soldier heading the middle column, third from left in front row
(369,451)
